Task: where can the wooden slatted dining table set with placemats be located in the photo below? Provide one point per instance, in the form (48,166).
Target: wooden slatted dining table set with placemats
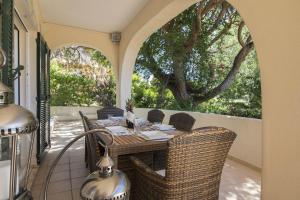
(133,145)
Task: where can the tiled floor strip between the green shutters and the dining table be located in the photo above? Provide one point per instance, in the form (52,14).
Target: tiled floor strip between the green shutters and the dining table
(70,171)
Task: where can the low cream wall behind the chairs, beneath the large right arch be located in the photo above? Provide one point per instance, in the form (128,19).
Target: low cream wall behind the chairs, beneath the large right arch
(248,145)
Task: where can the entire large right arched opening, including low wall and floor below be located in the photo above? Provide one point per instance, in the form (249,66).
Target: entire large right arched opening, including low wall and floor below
(204,61)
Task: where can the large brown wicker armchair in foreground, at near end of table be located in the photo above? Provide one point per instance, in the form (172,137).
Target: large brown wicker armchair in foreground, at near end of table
(193,170)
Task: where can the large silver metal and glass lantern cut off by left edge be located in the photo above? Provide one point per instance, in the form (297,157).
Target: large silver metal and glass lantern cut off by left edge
(17,133)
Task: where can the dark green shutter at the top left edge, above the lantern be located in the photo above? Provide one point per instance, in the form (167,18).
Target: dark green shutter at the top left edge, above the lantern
(7,10)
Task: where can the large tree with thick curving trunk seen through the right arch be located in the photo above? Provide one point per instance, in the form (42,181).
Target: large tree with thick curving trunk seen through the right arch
(179,55)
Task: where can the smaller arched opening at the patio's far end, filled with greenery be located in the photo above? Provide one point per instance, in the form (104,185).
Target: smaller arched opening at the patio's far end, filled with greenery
(80,77)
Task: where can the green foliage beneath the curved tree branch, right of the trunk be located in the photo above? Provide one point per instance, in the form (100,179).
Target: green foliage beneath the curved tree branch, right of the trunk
(243,98)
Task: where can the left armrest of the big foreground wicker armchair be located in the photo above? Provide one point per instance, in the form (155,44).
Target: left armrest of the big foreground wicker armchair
(146,171)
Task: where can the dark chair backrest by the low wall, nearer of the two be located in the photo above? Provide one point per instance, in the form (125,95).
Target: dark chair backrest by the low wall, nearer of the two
(182,121)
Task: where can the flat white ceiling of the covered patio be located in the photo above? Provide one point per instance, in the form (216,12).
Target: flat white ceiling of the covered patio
(100,15)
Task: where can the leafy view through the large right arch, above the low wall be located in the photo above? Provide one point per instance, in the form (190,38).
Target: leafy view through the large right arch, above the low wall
(191,68)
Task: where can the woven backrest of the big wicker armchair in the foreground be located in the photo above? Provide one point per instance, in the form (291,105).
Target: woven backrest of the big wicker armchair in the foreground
(196,160)
